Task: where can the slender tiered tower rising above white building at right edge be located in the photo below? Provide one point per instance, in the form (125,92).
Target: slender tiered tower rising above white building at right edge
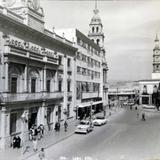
(156,60)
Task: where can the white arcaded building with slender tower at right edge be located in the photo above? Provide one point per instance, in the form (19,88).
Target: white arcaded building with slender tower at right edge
(149,88)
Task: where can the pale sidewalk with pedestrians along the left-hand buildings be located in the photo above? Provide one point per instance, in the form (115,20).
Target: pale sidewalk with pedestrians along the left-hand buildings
(51,138)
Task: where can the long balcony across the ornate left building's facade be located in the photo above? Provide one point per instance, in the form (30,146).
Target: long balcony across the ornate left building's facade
(22,97)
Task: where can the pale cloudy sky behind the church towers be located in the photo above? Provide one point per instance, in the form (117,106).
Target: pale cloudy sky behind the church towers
(130,27)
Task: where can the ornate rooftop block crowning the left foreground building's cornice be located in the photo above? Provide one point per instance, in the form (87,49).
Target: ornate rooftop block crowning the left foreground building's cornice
(30,10)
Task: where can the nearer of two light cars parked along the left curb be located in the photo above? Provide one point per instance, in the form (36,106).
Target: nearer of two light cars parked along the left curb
(84,126)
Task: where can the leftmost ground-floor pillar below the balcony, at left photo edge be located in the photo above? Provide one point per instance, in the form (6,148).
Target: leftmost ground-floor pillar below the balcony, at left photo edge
(3,127)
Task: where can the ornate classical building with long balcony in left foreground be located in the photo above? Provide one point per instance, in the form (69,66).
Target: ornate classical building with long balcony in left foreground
(36,72)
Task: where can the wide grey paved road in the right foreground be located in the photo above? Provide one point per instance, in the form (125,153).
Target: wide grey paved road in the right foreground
(124,137)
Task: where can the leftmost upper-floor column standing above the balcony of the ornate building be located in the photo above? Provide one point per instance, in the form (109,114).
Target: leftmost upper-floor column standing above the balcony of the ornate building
(6,65)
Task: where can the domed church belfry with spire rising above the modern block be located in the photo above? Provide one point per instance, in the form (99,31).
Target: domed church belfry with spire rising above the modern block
(96,28)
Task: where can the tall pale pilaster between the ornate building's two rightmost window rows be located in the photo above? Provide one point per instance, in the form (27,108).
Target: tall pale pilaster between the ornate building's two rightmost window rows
(65,86)
